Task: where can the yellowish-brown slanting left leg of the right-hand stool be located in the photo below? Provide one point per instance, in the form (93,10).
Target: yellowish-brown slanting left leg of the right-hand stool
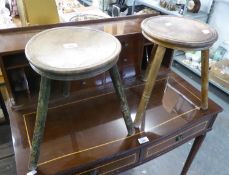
(151,78)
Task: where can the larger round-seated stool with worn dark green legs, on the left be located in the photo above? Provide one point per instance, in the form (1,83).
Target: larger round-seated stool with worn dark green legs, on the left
(71,53)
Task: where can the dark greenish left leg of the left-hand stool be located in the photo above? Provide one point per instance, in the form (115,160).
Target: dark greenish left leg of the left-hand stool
(42,108)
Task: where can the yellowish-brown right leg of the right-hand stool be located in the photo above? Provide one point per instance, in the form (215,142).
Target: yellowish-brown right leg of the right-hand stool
(204,78)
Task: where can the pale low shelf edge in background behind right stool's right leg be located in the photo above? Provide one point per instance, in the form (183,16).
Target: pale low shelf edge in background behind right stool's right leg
(179,59)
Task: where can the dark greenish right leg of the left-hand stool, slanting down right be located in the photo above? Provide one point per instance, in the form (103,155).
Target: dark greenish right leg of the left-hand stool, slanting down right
(122,98)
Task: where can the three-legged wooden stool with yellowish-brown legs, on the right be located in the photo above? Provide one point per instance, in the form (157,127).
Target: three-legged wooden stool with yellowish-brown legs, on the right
(175,33)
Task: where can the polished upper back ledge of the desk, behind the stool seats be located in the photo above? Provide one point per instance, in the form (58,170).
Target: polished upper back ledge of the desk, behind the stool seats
(15,39)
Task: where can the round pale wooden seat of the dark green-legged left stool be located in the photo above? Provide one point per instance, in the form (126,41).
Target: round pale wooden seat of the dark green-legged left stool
(72,53)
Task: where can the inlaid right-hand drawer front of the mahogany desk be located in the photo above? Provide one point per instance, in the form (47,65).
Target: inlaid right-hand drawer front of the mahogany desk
(153,150)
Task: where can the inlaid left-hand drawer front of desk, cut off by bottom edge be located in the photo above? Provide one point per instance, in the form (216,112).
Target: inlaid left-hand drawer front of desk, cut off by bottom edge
(113,166)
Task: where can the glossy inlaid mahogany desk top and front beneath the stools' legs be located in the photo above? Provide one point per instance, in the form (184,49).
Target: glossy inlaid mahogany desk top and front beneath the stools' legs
(79,139)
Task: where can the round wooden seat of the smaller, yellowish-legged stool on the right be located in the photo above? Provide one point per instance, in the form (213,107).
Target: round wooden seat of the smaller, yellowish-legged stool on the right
(178,32)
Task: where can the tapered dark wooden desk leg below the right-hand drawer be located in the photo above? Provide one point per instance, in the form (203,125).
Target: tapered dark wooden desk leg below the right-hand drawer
(195,147)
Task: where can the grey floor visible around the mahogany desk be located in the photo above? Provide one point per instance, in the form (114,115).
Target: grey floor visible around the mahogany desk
(212,159)
